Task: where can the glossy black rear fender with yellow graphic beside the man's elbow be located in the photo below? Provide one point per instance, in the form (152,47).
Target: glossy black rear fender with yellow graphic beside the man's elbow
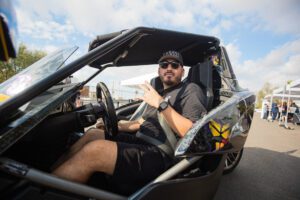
(235,115)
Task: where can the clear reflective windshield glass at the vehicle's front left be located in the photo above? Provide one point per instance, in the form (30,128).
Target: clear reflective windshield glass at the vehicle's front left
(34,74)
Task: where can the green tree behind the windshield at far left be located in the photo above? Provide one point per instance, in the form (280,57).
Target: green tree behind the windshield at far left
(24,59)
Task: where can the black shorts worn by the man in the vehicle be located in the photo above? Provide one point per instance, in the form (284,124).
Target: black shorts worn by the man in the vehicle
(138,162)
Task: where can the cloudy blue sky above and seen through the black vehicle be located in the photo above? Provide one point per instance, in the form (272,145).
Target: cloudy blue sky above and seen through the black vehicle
(262,37)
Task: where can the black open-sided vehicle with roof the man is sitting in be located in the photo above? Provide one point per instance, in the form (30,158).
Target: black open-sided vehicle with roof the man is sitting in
(39,120)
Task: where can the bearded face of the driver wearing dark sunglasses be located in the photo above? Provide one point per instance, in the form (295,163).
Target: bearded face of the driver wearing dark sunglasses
(170,72)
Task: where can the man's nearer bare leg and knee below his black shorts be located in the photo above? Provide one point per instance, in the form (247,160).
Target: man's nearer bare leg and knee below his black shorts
(98,155)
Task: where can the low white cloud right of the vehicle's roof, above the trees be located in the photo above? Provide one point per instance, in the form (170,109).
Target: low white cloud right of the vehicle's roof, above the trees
(277,67)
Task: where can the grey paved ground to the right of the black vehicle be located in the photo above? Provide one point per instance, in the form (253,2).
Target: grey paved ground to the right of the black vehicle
(269,168)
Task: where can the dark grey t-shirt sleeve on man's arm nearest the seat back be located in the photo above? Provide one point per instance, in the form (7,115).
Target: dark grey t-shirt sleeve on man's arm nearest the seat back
(192,103)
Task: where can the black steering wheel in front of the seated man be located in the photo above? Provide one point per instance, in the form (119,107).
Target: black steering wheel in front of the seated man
(110,119)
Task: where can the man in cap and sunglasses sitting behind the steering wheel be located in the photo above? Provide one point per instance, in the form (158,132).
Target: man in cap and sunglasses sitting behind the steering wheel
(130,158)
